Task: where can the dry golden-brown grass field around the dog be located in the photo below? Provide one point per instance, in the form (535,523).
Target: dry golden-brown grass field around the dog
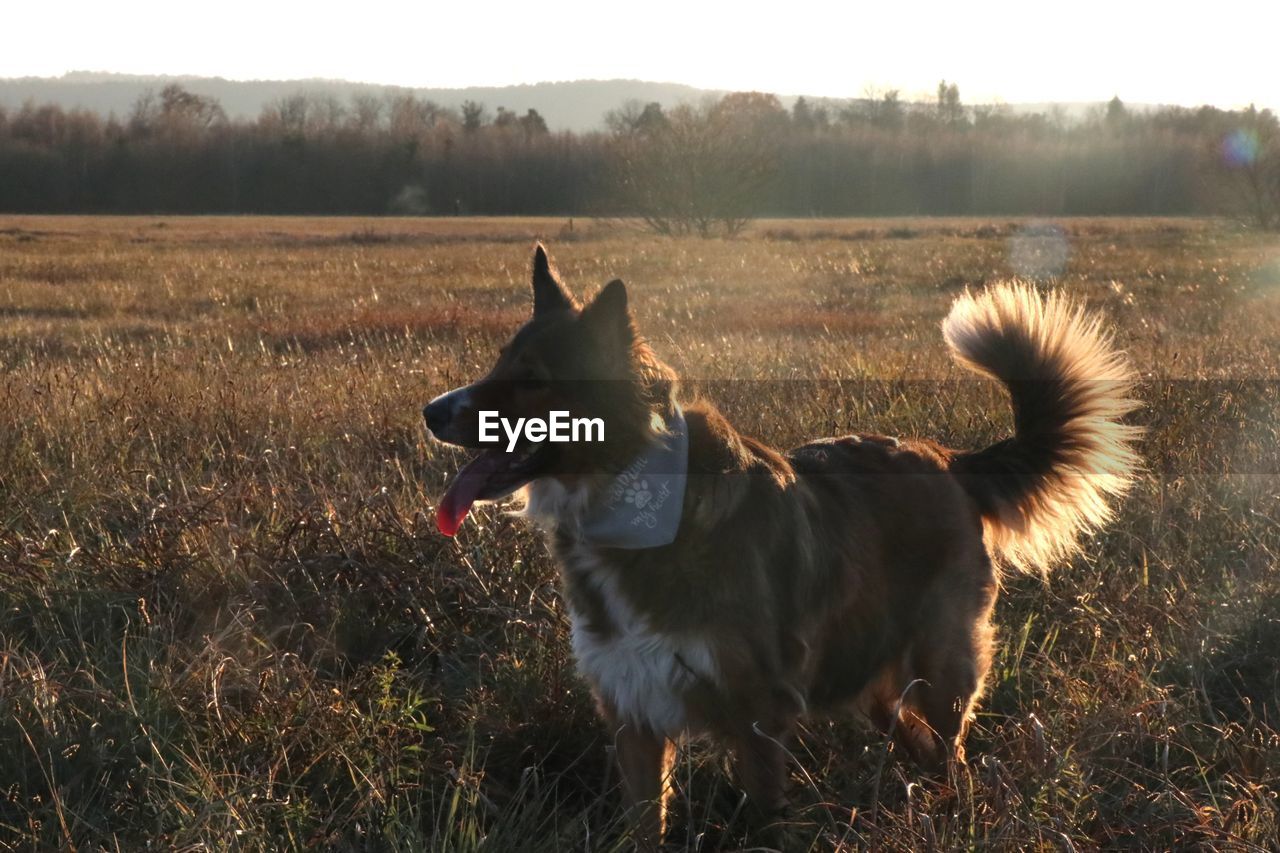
(227,621)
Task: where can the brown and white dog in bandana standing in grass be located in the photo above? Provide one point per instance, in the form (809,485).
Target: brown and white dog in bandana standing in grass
(851,573)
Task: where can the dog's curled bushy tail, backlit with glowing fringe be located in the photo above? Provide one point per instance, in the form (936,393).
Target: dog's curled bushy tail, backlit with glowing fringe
(1069,457)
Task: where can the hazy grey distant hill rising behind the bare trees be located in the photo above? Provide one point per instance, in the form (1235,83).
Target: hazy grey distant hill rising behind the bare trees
(577,106)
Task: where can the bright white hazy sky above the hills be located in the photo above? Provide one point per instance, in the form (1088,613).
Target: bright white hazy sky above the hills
(1087,51)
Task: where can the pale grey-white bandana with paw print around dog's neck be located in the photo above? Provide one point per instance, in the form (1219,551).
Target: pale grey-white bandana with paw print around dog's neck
(642,507)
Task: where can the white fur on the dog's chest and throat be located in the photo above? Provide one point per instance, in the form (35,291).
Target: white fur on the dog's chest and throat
(643,674)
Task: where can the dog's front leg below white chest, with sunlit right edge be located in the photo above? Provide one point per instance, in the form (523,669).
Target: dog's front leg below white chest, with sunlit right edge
(646,763)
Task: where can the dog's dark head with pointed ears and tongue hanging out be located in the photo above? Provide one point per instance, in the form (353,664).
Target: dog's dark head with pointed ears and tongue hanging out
(586,362)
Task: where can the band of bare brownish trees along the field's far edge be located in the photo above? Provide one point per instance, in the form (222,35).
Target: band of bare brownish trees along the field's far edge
(697,168)
